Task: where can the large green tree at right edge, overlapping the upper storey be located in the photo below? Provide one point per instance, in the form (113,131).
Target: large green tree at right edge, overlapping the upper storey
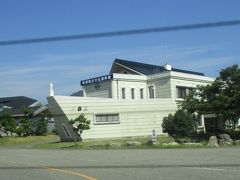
(222,97)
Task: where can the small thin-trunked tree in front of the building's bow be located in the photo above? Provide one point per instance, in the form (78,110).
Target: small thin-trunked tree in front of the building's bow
(80,124)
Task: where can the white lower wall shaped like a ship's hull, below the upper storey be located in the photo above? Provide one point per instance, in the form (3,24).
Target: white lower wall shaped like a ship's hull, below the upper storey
(137,118)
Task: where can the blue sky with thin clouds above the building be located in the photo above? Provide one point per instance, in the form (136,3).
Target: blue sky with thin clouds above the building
(28,69)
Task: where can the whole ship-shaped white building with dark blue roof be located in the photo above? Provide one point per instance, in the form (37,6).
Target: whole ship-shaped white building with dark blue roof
(131,100)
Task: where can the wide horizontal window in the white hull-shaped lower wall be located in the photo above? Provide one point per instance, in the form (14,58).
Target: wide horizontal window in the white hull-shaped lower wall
(107,119)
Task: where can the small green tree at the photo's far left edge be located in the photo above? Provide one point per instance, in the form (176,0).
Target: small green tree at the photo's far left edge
(7,122)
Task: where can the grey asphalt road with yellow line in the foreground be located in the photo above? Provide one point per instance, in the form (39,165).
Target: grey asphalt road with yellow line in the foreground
(181,164)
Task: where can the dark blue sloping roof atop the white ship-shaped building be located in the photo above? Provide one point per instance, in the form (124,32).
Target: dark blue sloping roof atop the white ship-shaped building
(148,69)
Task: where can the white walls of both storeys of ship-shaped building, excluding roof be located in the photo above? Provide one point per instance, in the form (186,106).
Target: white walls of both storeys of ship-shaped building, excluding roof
(137,117)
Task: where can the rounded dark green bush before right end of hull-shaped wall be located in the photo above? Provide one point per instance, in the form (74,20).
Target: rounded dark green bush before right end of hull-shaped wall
(181,124)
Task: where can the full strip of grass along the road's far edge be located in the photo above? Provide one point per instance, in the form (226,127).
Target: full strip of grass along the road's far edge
(53,142)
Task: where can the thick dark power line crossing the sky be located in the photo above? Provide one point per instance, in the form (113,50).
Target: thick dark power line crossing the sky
(121,33)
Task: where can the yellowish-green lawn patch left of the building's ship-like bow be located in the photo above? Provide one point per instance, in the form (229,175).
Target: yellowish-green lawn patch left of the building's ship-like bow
(14,140)
